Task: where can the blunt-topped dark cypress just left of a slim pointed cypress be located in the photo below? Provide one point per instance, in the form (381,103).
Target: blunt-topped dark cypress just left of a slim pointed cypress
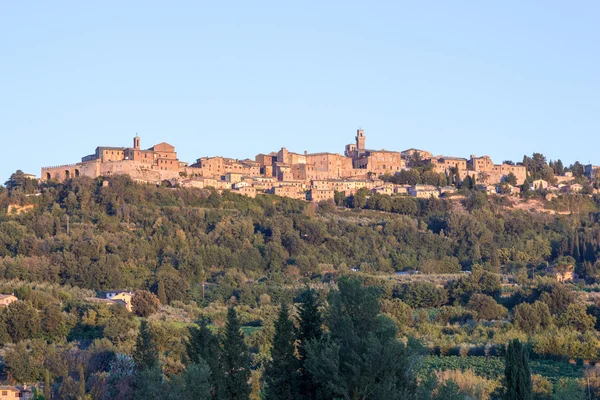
(203,347)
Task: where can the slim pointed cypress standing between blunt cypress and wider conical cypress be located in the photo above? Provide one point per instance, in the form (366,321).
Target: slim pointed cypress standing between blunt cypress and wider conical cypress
(236,359)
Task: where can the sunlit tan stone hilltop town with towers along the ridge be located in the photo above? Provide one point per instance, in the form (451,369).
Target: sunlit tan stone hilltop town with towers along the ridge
(314,176)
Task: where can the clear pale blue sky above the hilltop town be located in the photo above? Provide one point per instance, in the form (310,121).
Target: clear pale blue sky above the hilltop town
(236,78)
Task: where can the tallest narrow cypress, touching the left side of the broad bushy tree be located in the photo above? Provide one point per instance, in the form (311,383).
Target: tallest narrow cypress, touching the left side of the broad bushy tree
(310,328)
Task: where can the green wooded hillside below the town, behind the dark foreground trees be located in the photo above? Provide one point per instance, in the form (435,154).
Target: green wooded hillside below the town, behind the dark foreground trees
(196,252)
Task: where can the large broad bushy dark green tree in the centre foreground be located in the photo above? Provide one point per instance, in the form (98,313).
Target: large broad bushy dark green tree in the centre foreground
(360,357)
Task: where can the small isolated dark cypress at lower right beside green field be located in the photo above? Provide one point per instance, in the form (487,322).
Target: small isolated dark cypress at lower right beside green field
(517,373)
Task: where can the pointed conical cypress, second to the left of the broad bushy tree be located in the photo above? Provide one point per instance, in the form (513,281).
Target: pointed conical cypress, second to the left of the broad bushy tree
(281,372)
